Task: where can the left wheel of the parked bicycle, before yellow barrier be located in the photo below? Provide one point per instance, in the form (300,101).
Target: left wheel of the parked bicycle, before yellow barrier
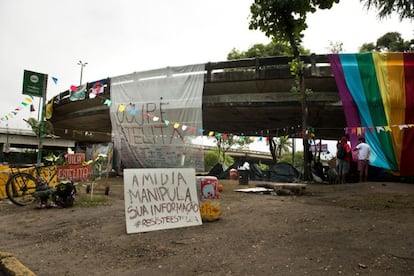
(20,188)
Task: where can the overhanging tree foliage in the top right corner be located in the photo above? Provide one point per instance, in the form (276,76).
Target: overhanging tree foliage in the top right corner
(404,8)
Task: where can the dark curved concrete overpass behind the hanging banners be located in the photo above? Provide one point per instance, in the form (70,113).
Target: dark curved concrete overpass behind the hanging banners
(250,97)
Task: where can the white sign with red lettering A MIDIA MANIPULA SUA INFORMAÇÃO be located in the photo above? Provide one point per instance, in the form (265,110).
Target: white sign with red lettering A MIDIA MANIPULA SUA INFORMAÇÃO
(158,199)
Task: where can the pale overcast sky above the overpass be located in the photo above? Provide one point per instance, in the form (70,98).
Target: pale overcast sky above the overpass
(117,37)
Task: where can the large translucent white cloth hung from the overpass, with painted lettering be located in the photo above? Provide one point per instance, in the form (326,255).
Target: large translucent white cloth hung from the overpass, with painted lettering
(154,115)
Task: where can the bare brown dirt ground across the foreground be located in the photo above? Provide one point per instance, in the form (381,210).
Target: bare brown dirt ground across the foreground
(350,229)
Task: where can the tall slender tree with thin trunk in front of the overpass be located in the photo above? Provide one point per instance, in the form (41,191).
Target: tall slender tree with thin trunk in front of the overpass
(285,20)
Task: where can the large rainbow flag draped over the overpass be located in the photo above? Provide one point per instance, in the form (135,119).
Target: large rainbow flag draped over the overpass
(377,93)
